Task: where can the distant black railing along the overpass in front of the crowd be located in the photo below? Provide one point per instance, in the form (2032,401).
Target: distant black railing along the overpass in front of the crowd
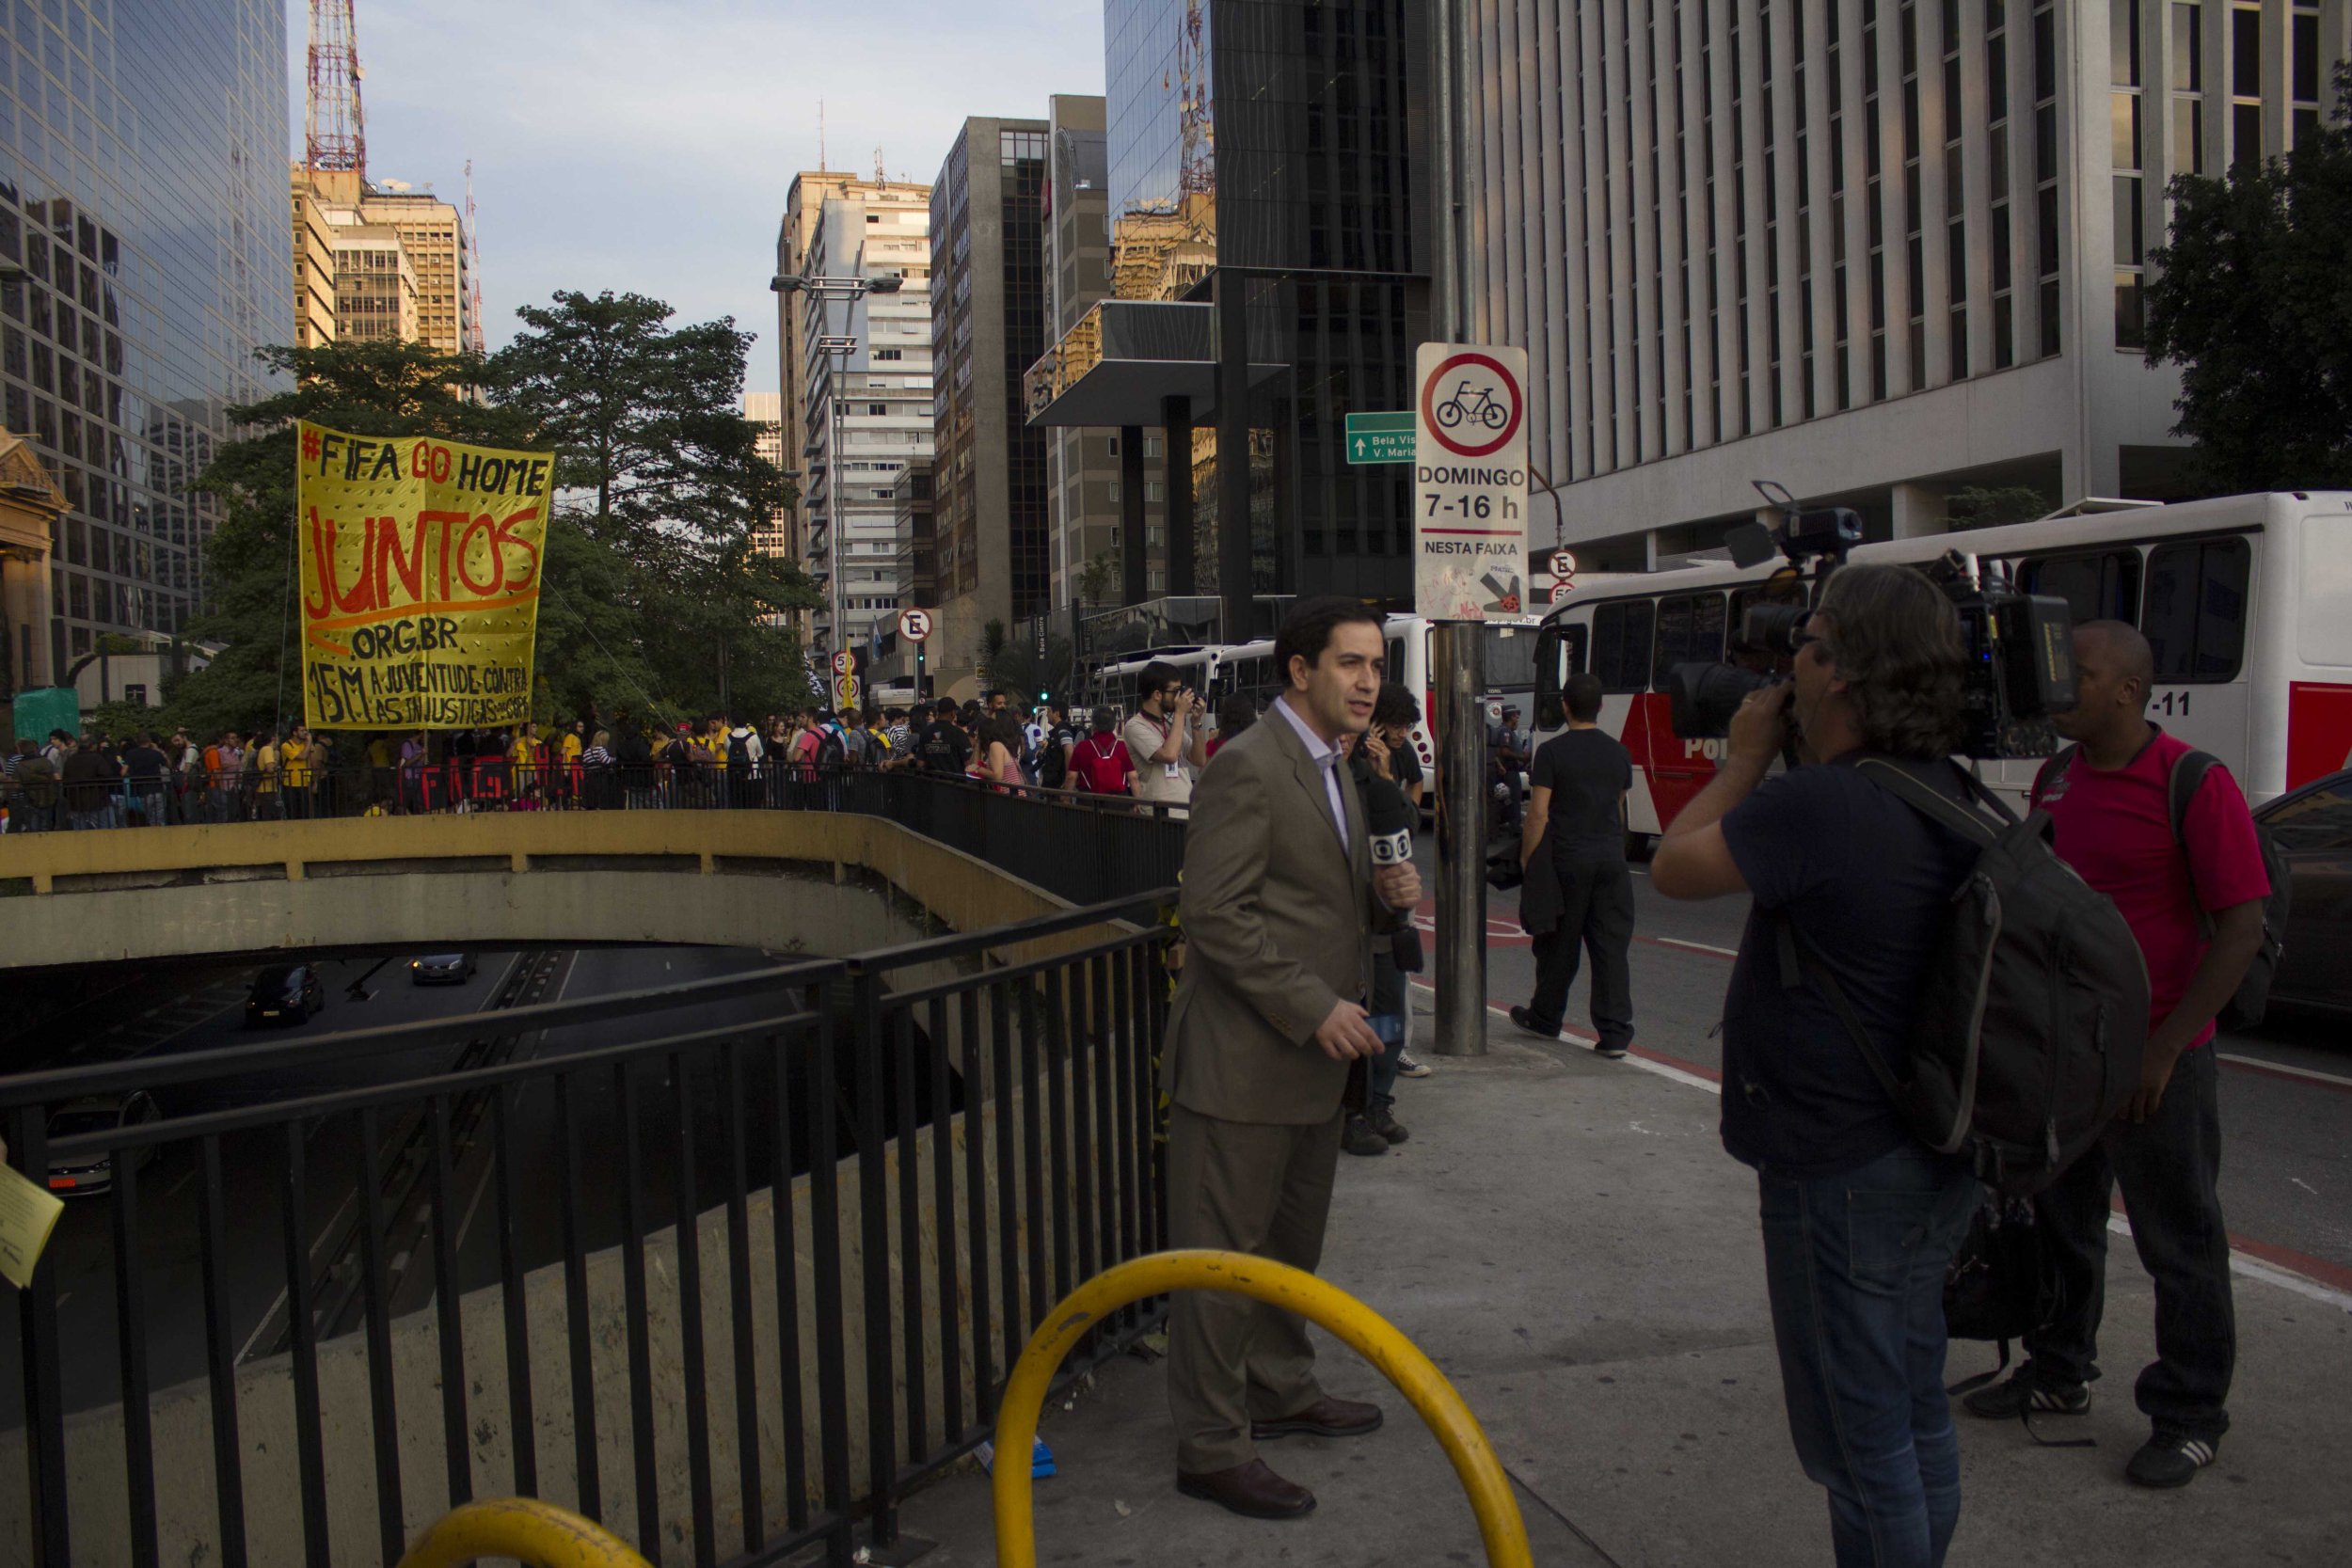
(1081,847)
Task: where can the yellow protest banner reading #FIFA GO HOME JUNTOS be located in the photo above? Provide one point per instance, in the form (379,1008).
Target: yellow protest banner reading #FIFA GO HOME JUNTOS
(420,579)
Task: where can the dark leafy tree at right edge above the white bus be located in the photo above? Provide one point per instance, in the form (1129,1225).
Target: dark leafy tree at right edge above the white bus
(2254,300)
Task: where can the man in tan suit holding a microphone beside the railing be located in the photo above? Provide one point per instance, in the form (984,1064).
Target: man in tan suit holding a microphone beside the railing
(1278,911)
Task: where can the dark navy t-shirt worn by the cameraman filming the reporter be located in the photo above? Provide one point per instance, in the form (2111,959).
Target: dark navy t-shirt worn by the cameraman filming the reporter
(1869,883)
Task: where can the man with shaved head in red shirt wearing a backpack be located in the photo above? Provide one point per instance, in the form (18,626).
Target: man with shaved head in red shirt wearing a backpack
(2196,902)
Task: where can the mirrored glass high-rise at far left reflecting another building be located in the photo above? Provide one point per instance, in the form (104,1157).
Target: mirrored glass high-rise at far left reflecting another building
(145,255)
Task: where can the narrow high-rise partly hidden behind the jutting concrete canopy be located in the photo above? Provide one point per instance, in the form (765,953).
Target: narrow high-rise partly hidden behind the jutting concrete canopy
(1081,464)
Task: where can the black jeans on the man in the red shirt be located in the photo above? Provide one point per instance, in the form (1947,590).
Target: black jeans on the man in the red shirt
(2167,1170)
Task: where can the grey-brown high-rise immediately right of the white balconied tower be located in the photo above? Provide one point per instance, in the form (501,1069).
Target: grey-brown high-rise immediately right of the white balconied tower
(989,326)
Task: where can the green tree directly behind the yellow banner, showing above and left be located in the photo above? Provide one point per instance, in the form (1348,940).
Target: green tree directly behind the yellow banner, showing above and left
(368,389)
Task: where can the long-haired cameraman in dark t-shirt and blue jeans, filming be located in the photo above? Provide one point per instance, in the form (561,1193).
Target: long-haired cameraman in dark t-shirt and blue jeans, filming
(1859,1219)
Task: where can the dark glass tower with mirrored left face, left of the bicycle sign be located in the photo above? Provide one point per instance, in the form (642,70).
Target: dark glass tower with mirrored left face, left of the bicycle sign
(1288,140)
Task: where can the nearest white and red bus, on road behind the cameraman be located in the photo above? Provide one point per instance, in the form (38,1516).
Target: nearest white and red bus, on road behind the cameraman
(2247,603)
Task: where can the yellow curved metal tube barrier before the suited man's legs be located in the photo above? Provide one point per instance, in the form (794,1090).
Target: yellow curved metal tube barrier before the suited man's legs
(1281,1287)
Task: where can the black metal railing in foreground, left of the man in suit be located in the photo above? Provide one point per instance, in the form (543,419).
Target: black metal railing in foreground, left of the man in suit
(944,1139)
